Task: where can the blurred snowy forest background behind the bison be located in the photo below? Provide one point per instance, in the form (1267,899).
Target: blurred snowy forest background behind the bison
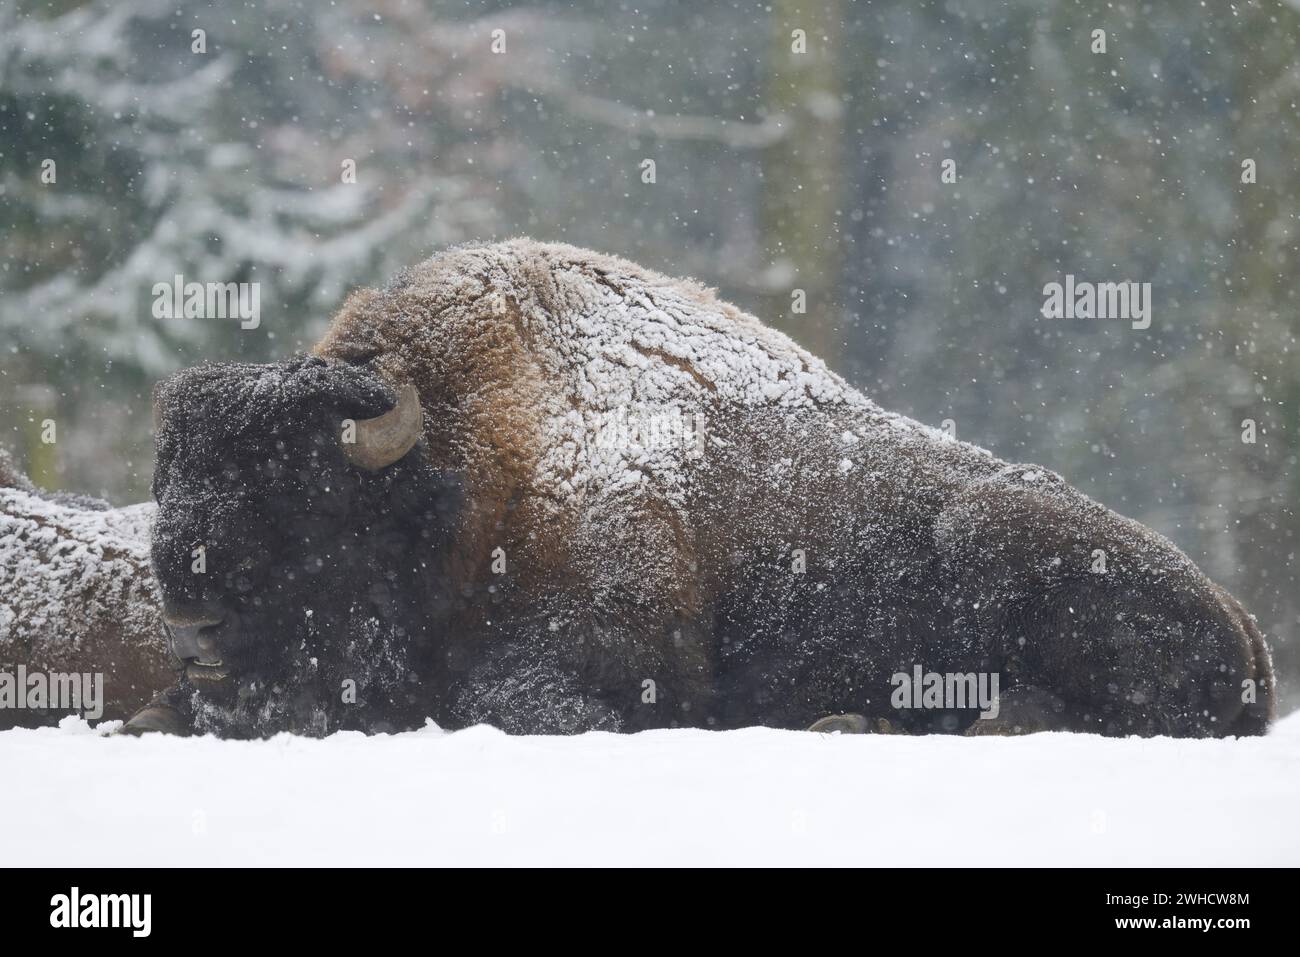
(777,168)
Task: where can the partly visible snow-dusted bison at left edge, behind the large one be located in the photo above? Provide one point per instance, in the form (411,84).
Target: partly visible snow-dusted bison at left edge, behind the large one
(77,596)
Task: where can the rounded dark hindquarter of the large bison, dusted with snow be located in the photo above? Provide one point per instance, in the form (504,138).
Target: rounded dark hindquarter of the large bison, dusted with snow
(1104,613)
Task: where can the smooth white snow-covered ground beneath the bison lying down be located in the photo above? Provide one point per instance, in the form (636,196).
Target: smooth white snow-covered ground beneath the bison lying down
(671,798)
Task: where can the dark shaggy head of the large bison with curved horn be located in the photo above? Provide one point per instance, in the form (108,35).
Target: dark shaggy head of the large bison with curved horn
(300,547)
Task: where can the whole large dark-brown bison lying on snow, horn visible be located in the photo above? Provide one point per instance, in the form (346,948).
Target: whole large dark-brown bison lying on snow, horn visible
(526,568)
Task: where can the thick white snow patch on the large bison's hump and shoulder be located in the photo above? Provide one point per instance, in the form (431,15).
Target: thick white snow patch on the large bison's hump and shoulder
(651,367)
